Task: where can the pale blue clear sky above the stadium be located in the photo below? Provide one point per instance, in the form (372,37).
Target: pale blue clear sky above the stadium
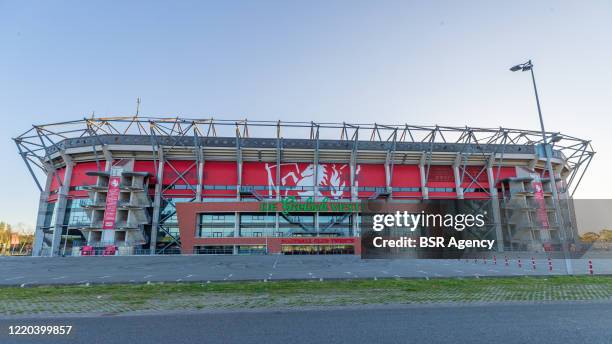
(418,62)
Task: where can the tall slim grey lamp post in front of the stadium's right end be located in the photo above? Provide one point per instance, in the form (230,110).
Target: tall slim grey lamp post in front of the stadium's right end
(528,66)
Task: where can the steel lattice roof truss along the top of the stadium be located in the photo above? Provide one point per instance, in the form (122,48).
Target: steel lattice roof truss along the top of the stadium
(37,145)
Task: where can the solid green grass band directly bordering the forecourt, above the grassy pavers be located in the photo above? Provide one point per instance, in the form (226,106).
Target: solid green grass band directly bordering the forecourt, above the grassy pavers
(129,291)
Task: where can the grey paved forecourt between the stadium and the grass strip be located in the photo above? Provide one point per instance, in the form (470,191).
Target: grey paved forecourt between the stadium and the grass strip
(27,271)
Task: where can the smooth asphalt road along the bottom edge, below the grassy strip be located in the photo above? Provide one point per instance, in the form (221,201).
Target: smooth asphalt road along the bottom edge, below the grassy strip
(491,323)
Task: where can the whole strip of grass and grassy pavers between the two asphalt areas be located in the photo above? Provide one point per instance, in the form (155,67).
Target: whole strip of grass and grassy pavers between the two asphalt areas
(223,295)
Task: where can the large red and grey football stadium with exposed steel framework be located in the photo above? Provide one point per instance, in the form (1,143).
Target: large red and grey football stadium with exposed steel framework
(152,185)
